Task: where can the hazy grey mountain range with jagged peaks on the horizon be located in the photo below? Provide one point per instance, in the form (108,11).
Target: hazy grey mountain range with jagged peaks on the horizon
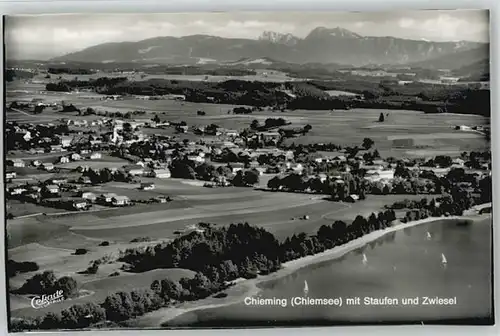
(321,45)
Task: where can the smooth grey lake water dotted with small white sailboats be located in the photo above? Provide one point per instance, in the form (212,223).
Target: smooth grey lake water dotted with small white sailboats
(402,264)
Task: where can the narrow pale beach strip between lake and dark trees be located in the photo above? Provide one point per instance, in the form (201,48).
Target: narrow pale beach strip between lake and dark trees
(243,288)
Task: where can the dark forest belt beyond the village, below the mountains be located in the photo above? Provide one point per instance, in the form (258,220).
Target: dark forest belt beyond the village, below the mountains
(309,96)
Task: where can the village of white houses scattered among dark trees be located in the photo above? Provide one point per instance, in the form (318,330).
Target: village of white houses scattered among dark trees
(67,164)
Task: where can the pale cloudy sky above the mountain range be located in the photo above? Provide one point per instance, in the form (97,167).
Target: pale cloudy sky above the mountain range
(45,36)
